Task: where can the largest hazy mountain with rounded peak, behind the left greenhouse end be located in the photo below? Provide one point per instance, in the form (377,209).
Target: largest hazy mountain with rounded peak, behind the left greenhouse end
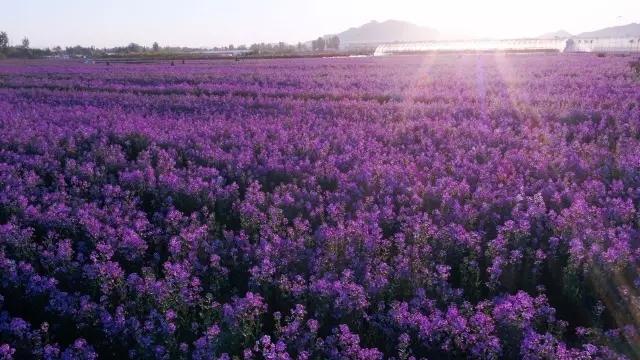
(387,31)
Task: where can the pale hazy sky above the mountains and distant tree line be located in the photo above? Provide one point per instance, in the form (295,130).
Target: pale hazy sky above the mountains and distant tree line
(216,22)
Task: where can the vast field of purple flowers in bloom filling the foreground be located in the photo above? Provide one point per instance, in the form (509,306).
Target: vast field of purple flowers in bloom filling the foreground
(436,207)
